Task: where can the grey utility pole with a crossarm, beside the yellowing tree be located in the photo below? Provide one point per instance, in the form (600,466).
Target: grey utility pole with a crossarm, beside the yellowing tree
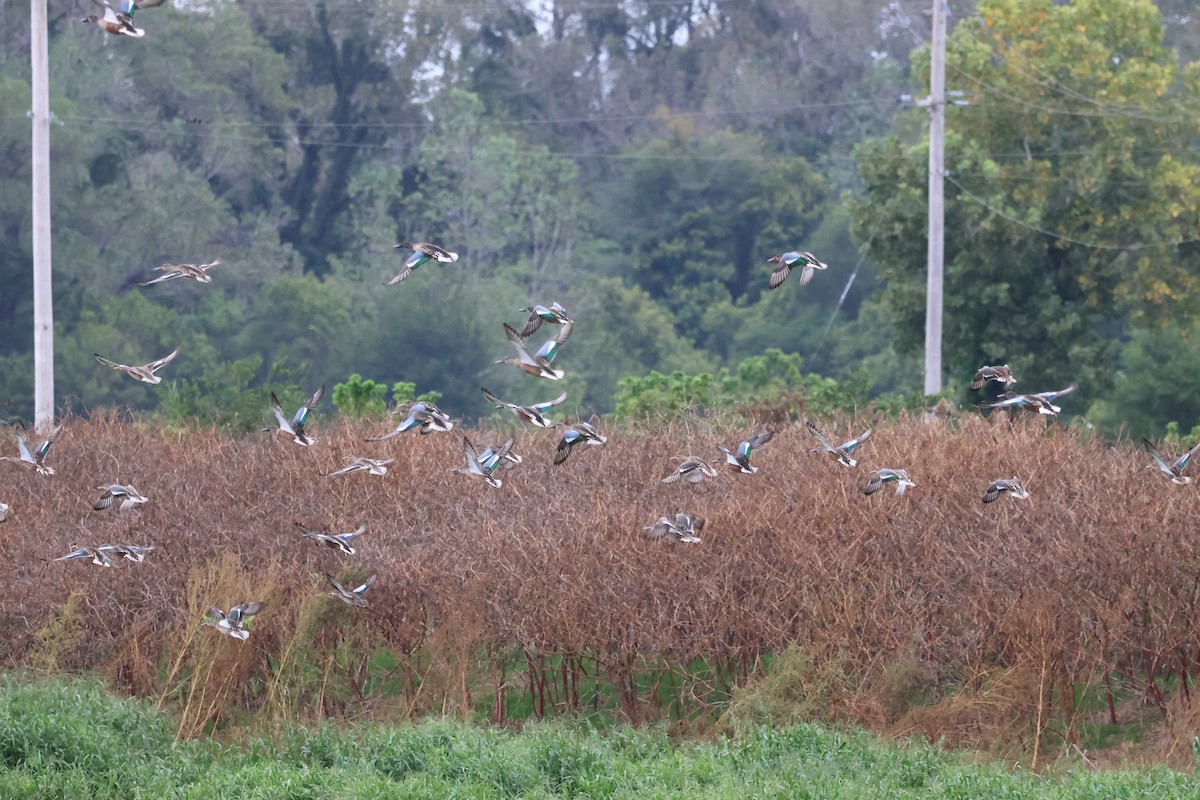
(937,207)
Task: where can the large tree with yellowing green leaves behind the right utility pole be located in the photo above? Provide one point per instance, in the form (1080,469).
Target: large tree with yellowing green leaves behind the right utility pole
(1071,207)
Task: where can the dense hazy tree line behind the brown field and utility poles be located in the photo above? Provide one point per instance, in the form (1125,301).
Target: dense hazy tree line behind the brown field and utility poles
(635,161)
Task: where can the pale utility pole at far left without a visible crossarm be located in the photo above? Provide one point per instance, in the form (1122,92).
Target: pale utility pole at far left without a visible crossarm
(44,309)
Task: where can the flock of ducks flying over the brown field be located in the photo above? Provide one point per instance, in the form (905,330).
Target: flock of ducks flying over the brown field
(484,465)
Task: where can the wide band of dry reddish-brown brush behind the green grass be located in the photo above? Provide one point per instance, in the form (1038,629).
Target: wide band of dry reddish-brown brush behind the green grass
(926,613)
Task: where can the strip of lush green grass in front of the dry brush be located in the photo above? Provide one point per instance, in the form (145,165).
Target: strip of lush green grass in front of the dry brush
(71,739)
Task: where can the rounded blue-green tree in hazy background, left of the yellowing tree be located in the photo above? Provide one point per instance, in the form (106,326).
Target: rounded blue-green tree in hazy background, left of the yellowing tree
(700,210)
